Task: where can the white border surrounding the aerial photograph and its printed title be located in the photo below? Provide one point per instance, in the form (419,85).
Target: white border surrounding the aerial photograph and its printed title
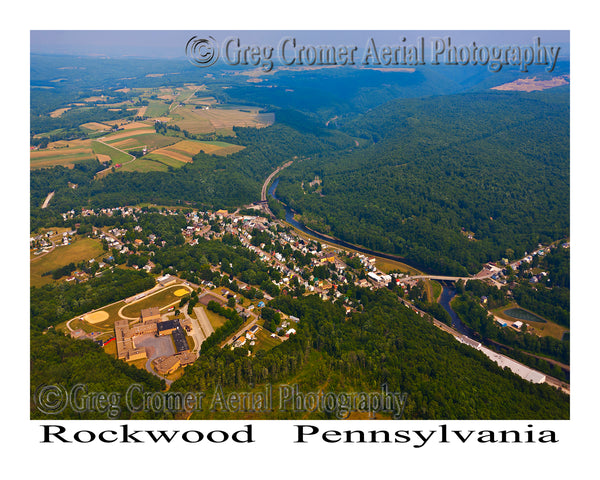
(276,456)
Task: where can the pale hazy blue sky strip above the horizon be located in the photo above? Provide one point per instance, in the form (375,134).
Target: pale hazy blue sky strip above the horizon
(171,43)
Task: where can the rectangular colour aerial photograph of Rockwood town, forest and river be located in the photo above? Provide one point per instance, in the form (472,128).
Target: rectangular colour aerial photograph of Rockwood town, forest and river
(299,225)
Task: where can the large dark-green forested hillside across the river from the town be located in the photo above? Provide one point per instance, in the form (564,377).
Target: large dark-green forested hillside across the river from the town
(450,182)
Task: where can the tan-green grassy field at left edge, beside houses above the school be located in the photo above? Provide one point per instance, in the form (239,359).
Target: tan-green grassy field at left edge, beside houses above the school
(80,250)
